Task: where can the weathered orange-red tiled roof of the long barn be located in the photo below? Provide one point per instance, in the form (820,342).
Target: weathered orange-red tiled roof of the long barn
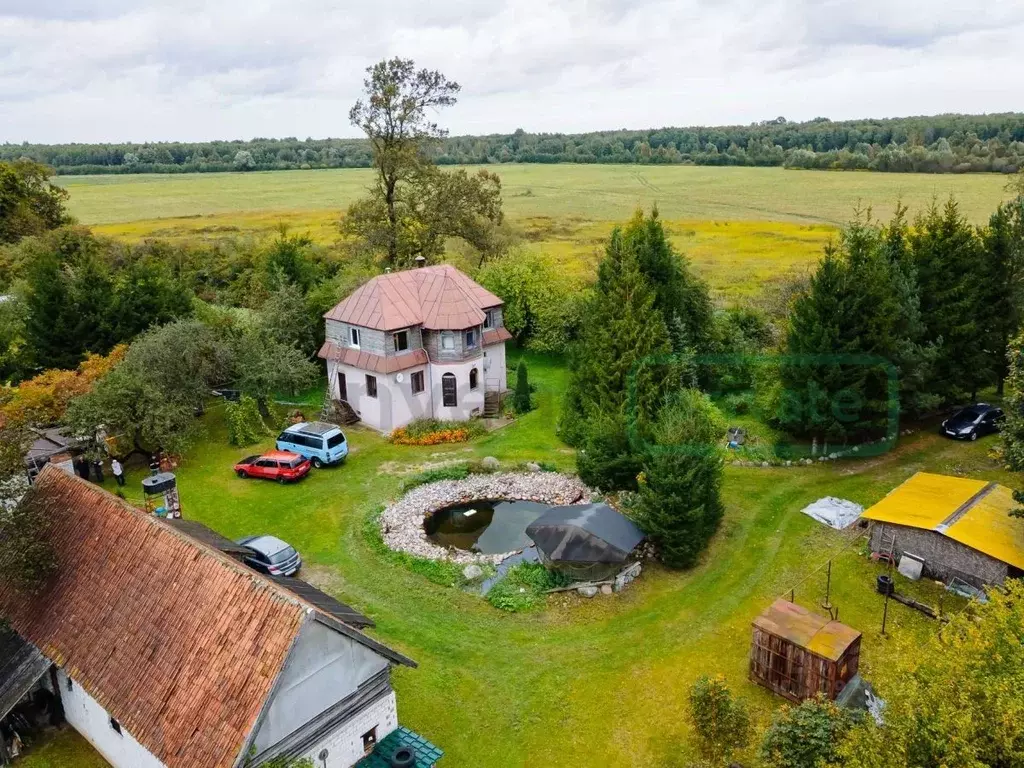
(180,644)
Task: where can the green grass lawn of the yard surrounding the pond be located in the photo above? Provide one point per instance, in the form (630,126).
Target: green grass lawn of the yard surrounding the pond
(600,682)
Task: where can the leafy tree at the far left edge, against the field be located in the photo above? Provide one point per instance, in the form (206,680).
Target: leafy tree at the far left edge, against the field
(30,204)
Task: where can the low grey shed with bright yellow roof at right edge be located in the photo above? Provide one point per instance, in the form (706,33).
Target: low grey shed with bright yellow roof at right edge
(960,528)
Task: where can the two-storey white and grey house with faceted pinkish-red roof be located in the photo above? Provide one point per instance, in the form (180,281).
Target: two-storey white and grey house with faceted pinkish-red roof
(416,345)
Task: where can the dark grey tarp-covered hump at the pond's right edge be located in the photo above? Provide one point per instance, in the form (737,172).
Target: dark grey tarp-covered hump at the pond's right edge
(585,534)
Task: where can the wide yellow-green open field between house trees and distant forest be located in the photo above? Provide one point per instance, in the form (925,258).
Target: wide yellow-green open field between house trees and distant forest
(743,228)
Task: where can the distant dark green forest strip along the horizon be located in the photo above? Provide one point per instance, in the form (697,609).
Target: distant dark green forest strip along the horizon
(943,144)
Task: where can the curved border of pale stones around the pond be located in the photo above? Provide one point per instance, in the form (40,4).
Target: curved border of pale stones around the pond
(402,522)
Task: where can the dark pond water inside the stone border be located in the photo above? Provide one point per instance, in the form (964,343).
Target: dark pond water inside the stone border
(489,527)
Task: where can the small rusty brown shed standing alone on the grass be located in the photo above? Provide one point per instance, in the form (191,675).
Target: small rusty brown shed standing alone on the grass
(799,655)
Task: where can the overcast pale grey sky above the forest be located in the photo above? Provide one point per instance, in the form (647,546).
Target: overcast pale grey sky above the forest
(195,70)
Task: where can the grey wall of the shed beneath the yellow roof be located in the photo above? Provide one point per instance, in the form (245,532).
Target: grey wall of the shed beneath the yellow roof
(944,558)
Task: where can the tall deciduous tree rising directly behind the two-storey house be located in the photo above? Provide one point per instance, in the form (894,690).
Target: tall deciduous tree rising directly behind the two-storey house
(414,206)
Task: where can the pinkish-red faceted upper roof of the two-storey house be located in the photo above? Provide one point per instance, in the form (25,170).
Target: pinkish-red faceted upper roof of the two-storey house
(437,297)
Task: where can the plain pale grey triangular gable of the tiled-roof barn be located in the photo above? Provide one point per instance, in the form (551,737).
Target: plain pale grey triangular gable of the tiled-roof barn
(324,668)
